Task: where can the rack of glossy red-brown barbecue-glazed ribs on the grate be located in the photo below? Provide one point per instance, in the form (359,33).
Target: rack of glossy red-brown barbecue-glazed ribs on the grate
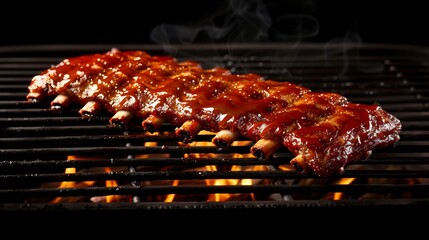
(323,130)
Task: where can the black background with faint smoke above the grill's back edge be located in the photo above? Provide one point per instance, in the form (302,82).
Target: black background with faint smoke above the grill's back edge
(192,21)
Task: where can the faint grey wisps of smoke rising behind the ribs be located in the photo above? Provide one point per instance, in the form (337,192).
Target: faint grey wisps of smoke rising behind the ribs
(245,21)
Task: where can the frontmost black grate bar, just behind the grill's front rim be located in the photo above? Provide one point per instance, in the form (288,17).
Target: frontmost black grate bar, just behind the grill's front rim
(264,190)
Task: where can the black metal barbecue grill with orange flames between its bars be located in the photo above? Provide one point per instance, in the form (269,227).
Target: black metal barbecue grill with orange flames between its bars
(38,144)
